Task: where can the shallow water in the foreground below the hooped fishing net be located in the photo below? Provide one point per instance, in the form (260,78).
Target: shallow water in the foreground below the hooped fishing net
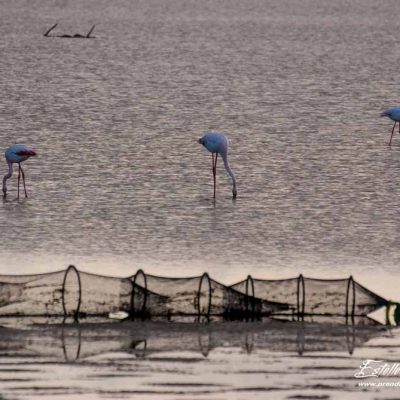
(269,359)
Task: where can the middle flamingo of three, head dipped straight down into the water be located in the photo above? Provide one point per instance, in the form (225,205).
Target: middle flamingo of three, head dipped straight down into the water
(217,143)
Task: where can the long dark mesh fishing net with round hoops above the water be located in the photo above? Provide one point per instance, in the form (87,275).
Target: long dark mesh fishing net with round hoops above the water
(73,293)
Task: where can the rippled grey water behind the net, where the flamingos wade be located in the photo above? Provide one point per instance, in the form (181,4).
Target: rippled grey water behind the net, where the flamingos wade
(120,181)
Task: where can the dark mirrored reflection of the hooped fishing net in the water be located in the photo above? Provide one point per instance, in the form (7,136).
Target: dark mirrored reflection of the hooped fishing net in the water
(73,342)
